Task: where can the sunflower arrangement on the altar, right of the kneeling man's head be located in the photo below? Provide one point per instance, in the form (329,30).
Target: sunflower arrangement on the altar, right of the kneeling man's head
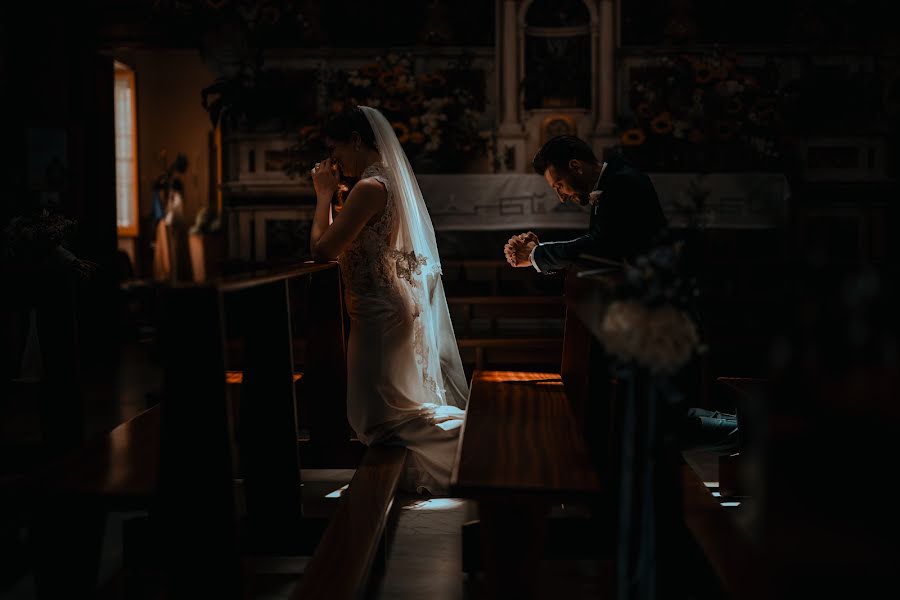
(702,112)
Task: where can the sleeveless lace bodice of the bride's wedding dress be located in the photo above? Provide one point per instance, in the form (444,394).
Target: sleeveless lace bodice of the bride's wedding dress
(366,266)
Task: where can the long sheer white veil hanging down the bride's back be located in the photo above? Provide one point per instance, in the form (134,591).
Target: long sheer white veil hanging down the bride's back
(419,273)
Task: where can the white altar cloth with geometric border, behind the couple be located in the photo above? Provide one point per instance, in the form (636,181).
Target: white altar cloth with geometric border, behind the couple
(524,201)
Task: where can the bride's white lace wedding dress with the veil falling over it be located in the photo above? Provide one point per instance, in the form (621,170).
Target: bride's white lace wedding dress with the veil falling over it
(405,383)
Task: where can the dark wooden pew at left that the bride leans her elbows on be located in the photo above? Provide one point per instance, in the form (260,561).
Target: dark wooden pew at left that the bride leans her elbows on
(176,459)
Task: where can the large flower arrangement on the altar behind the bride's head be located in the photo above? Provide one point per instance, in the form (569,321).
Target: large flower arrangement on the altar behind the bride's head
(435,114)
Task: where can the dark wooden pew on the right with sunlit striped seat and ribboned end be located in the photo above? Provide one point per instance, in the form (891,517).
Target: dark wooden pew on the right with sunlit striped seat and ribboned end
(643,487)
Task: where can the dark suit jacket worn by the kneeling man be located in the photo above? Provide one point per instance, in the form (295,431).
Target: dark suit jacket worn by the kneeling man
(626,221)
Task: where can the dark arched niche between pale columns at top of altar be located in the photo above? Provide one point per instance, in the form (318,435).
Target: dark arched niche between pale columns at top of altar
(557,55)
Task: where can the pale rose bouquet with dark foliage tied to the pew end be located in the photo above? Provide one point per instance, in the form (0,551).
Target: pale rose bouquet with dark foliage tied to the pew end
(650,323)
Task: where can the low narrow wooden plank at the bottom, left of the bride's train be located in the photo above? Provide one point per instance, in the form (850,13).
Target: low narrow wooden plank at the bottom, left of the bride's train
(344,557)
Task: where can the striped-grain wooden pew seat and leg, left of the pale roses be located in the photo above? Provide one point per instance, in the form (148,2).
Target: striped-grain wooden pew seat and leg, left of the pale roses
(535,428)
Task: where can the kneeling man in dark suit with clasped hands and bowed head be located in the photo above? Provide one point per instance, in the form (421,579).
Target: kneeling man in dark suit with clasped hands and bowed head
(626,221)
